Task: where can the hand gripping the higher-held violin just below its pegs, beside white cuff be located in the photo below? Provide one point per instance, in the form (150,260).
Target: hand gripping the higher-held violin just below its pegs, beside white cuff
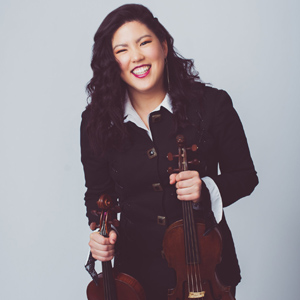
(188,185)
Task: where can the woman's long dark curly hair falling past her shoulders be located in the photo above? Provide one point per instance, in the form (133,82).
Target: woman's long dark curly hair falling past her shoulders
(106,90)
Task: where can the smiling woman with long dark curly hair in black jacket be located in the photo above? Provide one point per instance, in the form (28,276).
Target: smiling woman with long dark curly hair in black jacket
(142,95)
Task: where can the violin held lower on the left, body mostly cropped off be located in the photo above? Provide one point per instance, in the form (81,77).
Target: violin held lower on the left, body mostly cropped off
(111,284)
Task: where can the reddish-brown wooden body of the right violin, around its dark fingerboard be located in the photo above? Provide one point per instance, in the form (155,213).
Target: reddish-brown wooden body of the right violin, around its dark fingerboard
(210,248)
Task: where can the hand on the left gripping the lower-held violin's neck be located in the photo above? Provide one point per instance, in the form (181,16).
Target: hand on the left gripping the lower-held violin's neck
(102,248)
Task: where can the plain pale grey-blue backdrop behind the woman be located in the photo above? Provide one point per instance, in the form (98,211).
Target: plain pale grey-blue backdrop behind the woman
(249,48)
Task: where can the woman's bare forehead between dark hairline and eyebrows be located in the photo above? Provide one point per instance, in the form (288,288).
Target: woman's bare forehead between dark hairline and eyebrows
(130,31)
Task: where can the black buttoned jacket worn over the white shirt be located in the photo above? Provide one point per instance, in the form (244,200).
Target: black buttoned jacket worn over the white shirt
(137,176)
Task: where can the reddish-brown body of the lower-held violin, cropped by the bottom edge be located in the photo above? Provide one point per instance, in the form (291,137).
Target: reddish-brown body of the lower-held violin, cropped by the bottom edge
(126,288)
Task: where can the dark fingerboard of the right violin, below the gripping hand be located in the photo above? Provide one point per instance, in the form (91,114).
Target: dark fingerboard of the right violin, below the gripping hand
(190,235)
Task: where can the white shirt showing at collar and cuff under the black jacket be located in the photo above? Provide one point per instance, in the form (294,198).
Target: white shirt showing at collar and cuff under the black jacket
(130,115)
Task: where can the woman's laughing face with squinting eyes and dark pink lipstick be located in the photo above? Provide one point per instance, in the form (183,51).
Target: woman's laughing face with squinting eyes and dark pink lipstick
(141,57)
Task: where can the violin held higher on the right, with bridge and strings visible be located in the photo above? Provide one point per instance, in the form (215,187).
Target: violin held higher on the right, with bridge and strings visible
(192,251)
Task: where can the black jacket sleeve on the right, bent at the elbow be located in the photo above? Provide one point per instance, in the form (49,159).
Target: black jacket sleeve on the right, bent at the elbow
(237,176)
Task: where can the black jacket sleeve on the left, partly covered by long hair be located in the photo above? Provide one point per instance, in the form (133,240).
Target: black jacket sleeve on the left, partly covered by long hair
(96,171)
